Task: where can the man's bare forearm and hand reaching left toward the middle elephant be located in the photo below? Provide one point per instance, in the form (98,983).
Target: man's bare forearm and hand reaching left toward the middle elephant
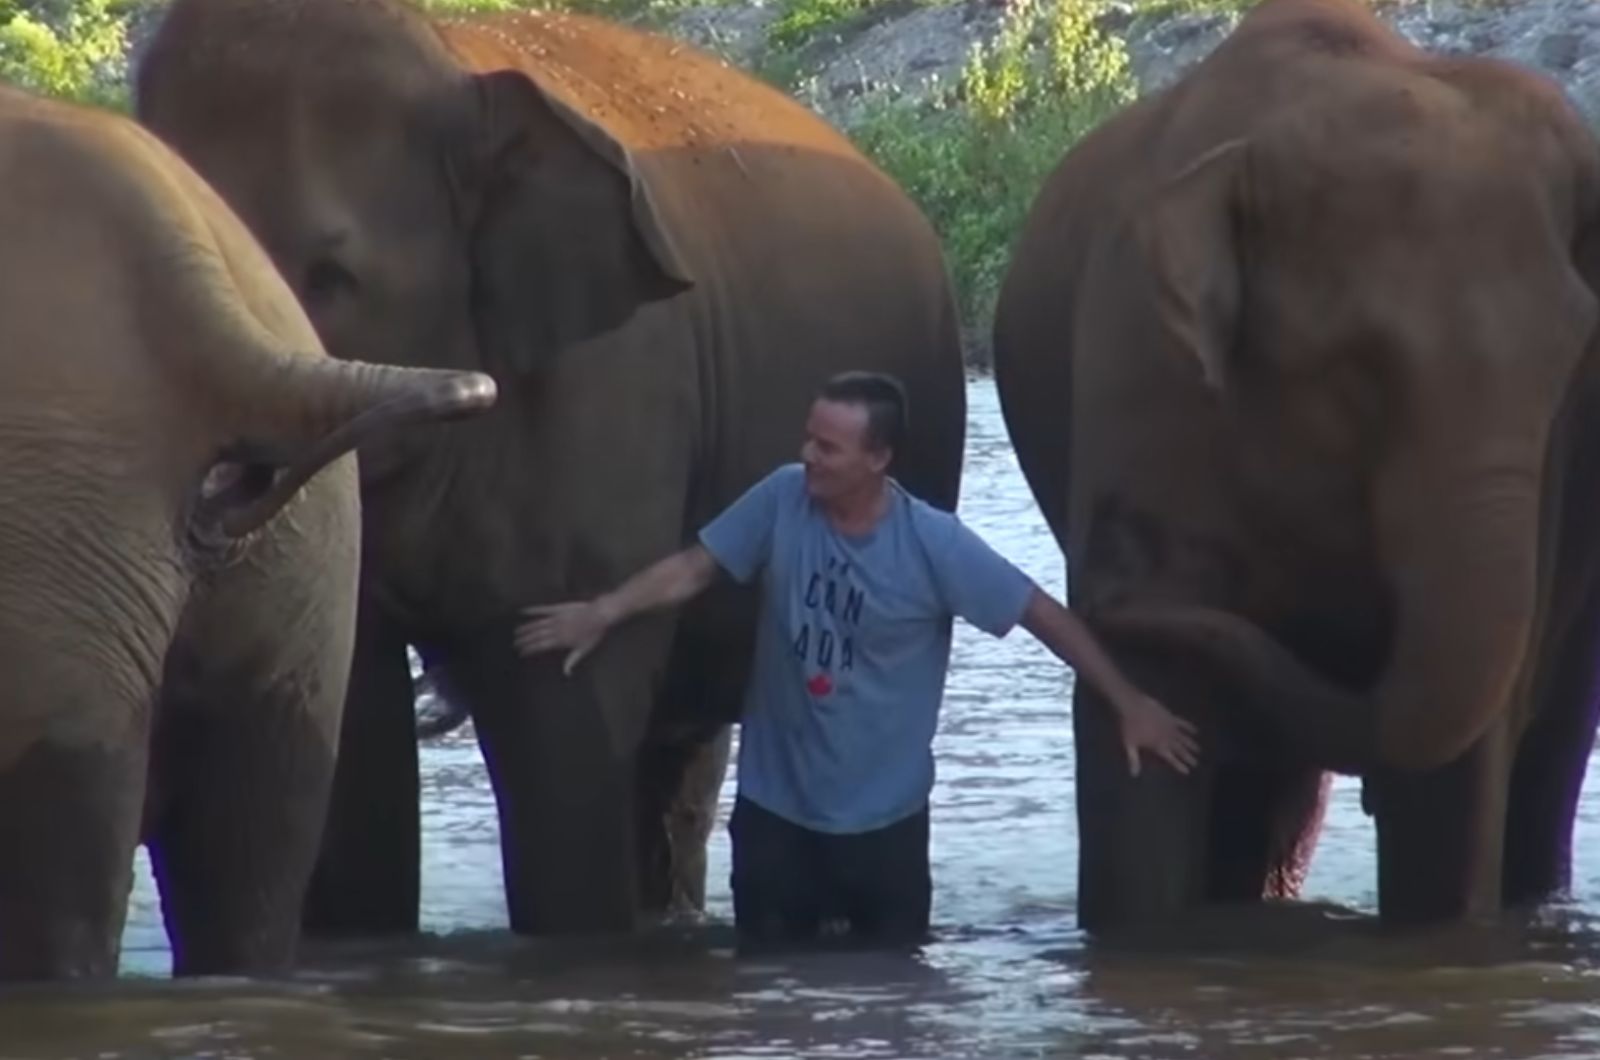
(580,627)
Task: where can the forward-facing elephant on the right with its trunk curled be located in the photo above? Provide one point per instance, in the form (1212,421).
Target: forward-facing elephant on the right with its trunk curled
(1298,358)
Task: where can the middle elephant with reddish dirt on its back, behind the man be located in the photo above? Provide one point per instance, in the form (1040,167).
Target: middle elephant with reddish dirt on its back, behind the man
(658,260)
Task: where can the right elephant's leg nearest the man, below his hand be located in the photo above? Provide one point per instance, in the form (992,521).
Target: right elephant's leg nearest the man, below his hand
(1142,840)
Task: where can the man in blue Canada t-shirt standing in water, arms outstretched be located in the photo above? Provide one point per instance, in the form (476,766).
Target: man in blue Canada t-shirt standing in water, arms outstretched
(860,584)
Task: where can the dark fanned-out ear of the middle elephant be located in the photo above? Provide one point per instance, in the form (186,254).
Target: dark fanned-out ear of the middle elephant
(566,239)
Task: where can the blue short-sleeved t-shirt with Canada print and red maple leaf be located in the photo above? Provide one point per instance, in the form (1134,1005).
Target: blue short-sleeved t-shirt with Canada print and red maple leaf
(852,649)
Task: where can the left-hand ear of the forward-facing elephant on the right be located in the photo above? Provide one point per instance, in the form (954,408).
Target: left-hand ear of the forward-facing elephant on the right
(1190,235)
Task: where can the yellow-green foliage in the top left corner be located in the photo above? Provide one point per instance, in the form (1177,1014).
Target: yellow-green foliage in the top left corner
(71,49)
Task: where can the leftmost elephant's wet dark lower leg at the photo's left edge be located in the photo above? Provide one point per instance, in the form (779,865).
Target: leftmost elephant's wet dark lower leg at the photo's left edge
(70,825)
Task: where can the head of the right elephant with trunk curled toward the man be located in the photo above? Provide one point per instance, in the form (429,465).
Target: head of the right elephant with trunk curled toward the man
(1385,295)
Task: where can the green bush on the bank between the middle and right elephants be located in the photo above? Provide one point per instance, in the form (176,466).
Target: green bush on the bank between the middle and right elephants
(975,161)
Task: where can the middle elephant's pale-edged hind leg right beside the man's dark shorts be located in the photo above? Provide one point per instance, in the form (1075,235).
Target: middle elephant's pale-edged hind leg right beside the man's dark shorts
(679,782)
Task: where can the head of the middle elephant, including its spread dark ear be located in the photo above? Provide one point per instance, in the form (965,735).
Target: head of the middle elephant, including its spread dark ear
(423,214)
